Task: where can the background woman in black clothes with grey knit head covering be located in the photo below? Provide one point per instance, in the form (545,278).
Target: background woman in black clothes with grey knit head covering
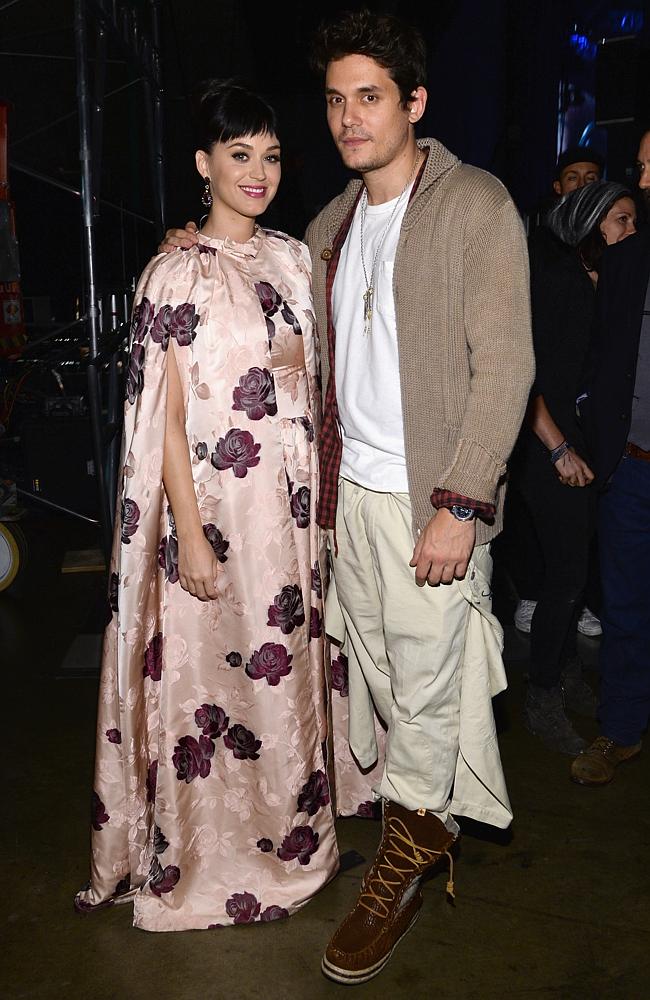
(550,468)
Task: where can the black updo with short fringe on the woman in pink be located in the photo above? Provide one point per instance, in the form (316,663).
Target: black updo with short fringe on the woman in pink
(227,109)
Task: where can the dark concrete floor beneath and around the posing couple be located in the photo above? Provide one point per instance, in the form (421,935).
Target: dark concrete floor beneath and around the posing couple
(557,908)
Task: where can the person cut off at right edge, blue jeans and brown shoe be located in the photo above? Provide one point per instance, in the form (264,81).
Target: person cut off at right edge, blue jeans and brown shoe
(615,411)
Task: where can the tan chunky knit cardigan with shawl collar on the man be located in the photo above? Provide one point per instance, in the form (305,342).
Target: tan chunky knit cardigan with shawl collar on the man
(462,304)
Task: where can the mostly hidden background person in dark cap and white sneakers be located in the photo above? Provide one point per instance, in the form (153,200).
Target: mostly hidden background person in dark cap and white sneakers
(576,166)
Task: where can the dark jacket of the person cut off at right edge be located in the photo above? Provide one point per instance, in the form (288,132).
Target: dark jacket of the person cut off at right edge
(612,357)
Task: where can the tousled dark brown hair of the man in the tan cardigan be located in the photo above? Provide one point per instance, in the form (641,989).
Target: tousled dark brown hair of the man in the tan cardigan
(396,46)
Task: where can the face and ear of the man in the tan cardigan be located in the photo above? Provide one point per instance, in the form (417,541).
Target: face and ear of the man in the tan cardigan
(364,112)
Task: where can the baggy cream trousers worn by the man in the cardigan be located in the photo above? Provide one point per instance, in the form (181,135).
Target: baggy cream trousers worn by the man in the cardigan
(408,640)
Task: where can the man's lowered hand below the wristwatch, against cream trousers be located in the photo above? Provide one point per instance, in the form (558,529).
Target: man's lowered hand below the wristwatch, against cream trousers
(443,550)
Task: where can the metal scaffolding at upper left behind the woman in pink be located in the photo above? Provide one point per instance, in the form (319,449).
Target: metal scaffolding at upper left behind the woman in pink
(132,30)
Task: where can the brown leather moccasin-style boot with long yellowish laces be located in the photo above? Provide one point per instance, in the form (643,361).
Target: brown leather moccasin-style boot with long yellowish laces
(413,842)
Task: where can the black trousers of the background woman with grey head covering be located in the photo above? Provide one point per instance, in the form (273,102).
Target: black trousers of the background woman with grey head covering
(563,520)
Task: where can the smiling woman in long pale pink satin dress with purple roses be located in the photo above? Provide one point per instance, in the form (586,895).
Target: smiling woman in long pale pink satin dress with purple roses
(211,802)
